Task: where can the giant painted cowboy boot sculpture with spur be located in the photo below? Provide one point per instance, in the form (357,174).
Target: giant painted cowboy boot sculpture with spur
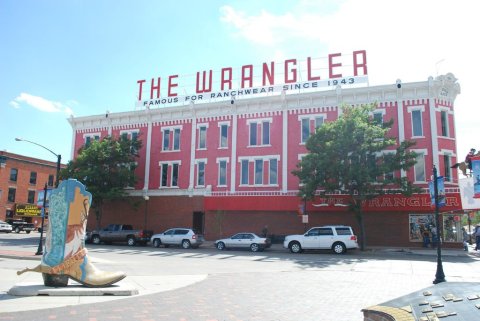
(65,255)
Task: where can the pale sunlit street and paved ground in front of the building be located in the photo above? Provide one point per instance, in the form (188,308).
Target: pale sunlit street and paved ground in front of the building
(206,284)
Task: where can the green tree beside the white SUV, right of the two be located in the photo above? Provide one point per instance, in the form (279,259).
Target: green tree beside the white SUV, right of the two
(354,155)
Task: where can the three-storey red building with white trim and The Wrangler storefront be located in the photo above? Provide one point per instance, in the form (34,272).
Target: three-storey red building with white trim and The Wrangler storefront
(224,166)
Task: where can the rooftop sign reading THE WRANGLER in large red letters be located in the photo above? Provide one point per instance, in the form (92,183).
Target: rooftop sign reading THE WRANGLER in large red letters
(291,75)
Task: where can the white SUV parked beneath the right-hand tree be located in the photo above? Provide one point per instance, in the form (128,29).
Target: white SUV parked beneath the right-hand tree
(338,238)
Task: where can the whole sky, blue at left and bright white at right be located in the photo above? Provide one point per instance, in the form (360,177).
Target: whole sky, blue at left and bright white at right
(85,57)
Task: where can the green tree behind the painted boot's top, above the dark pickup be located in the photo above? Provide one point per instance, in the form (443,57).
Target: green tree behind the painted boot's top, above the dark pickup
(106,167)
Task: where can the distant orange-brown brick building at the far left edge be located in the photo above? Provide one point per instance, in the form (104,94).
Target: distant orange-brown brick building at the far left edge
(21,178)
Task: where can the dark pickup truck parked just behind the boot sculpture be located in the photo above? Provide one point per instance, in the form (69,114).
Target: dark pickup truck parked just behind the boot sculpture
(120,233)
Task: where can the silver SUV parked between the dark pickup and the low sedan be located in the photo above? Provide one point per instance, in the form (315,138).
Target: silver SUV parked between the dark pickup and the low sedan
(184,237)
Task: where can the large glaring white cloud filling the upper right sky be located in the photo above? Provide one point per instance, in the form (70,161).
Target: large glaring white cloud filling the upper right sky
(408,40)
